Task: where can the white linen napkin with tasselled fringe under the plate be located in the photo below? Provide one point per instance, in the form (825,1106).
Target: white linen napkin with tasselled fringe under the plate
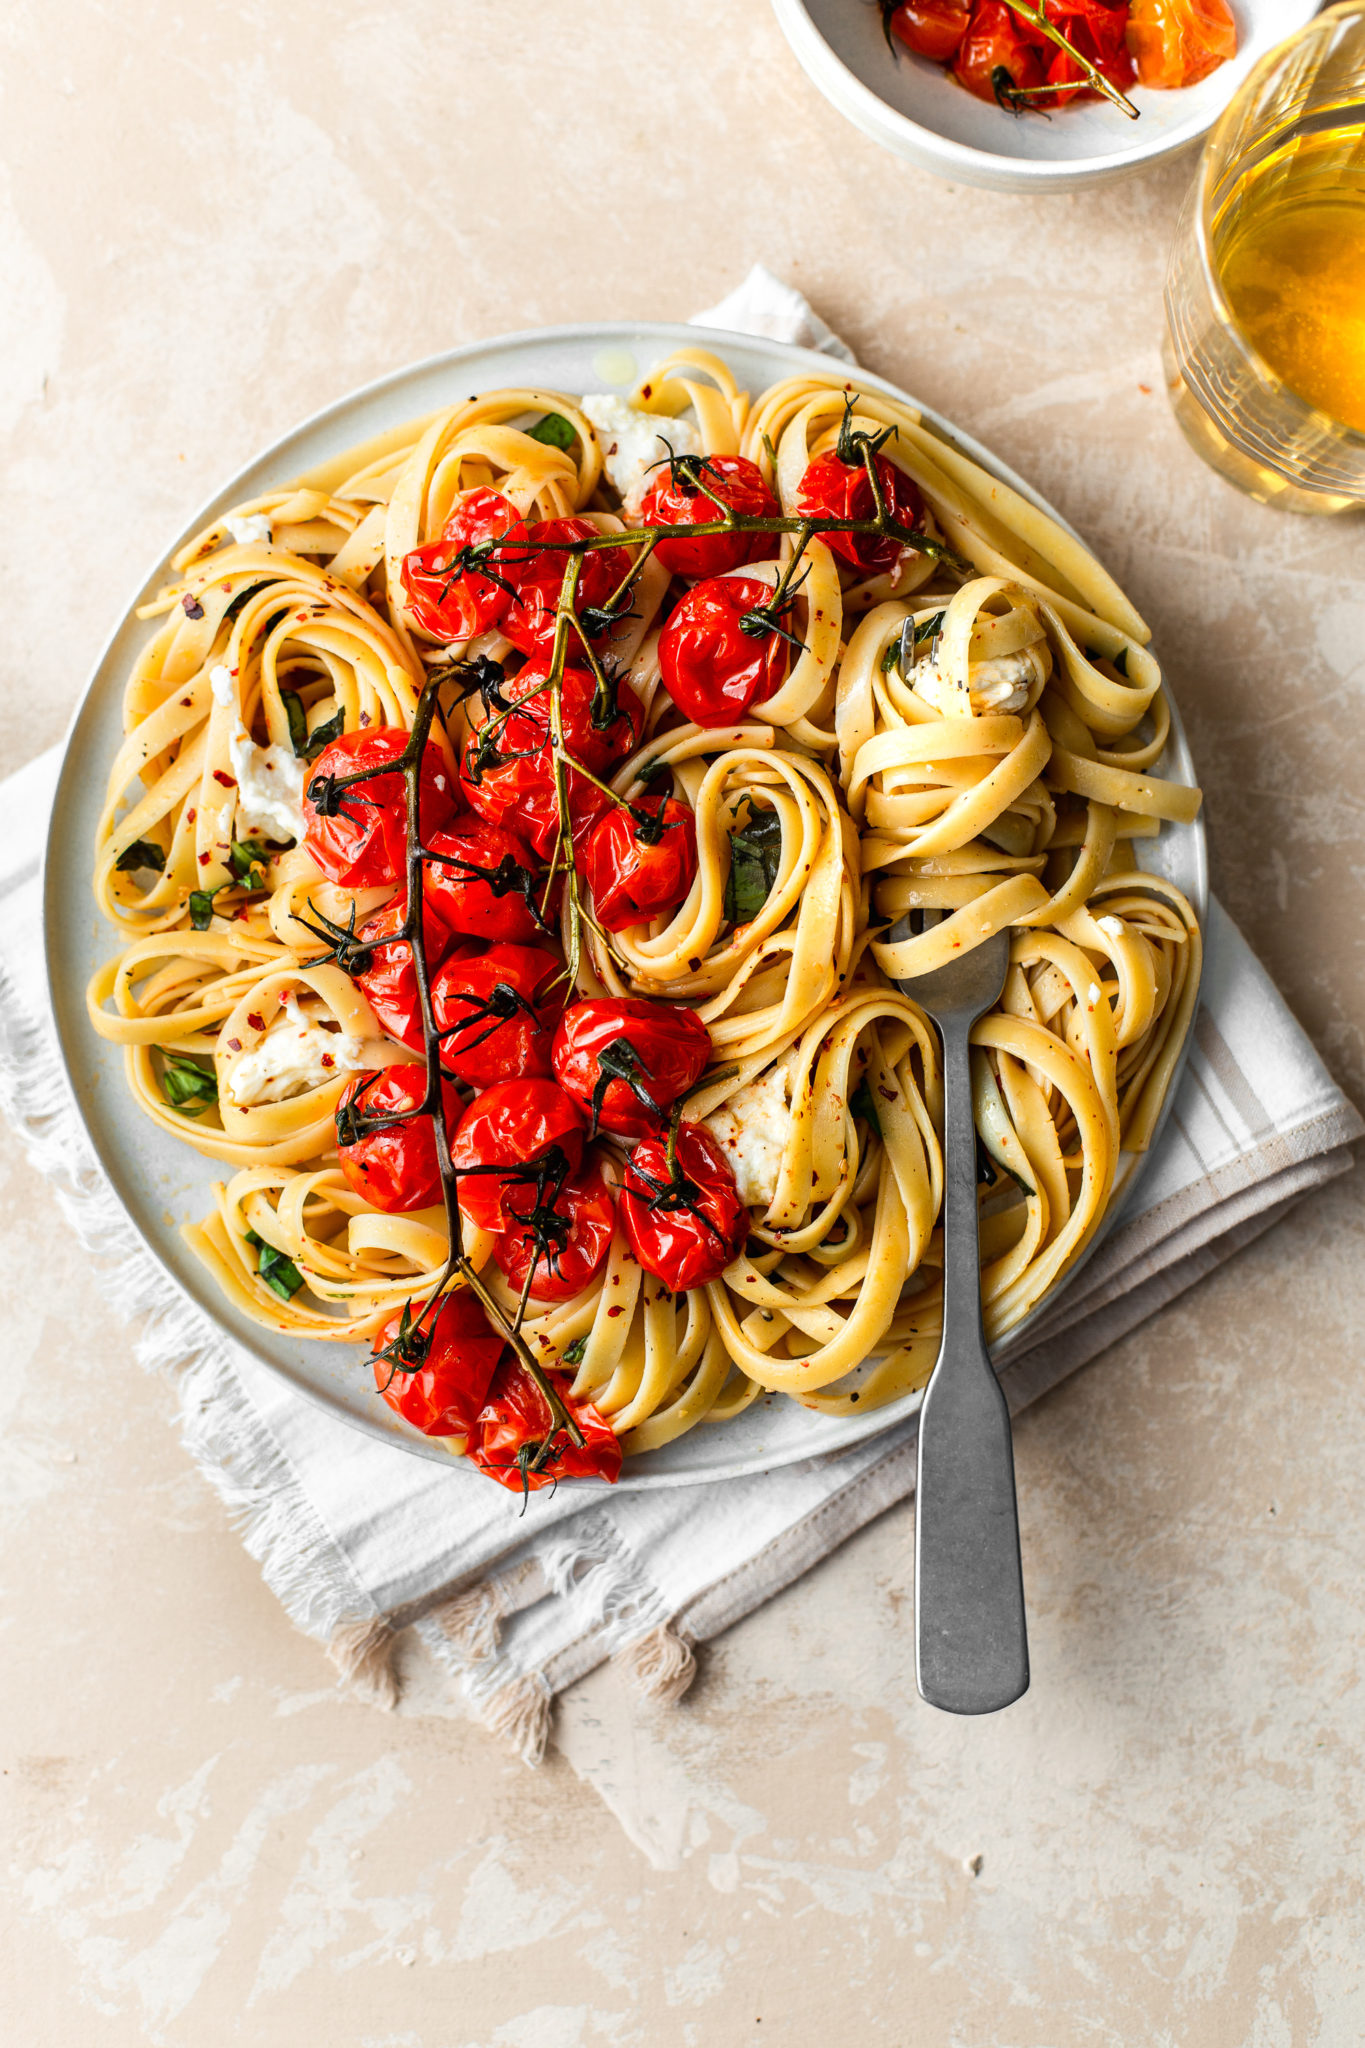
(363,1541)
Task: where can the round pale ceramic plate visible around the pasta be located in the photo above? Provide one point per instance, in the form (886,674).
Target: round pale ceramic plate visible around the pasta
(163,1183)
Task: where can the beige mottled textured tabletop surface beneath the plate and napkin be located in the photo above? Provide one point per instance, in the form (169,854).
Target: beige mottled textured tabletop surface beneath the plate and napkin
(214,220)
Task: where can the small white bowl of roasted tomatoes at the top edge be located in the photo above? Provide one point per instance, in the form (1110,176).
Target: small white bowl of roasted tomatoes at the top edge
(916,110)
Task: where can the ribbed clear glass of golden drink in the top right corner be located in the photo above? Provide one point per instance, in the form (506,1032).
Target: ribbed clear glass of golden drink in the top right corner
(1266,290)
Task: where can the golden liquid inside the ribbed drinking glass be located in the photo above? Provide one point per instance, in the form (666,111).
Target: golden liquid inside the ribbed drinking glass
(1290,249)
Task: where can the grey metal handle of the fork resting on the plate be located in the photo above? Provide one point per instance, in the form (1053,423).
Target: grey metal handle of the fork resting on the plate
(971,1639)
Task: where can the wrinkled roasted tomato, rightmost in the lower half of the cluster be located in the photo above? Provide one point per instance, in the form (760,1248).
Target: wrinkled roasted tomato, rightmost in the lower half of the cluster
(685,1228)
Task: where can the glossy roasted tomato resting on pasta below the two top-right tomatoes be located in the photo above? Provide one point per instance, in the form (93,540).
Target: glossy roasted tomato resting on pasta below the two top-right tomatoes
(713,663)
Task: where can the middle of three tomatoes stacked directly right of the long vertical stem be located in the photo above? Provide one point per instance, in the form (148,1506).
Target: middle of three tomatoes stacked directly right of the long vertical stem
(496,1013)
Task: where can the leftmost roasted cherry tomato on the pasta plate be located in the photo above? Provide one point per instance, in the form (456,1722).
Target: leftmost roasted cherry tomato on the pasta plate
(365,843)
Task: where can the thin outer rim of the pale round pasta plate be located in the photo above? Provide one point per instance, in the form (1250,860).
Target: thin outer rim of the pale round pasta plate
(69,1005)
